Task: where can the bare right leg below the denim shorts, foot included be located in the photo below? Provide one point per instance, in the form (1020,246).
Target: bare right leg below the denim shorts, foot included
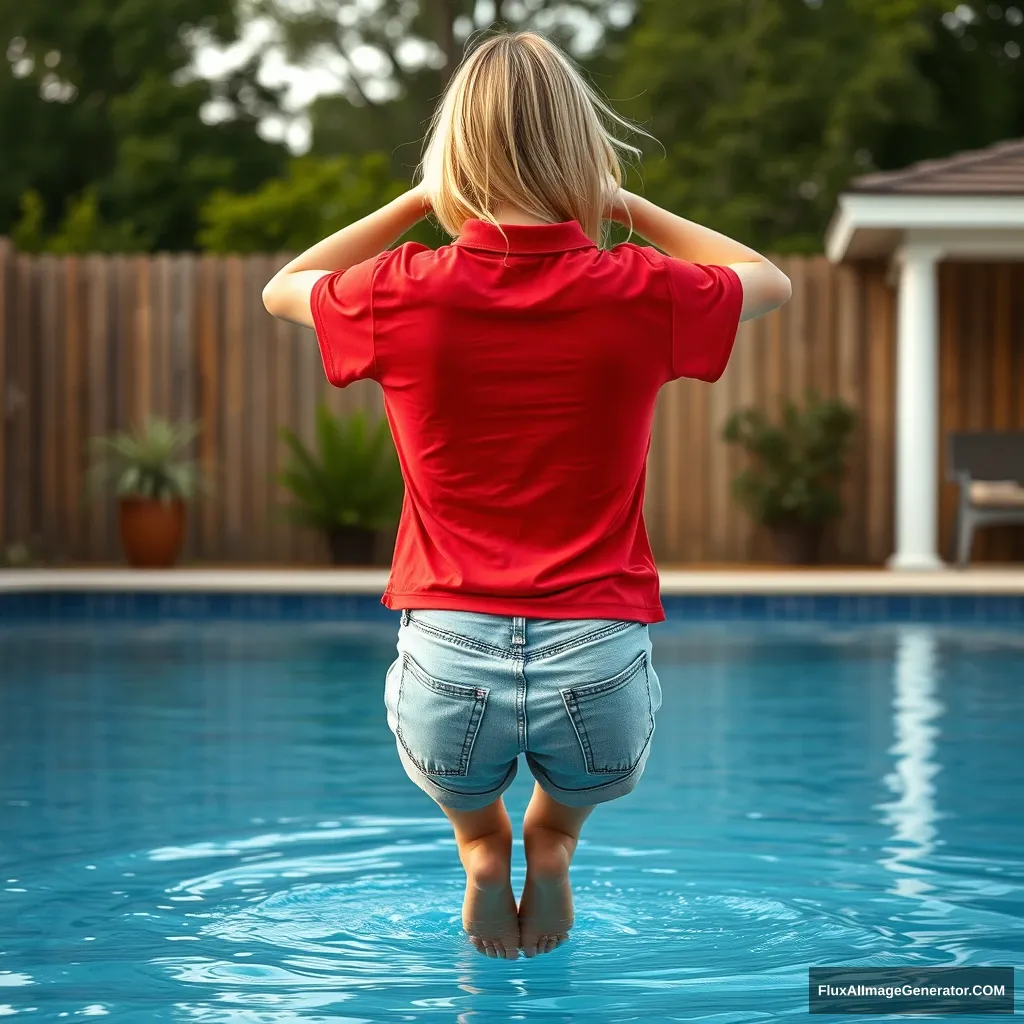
(550,832)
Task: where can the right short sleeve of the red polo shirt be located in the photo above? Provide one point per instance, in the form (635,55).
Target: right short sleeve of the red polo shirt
(706,306)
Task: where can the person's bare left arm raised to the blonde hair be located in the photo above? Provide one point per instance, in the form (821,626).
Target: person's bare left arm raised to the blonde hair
(287,294)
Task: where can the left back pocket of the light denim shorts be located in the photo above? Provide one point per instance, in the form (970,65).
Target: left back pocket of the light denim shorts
(438,721)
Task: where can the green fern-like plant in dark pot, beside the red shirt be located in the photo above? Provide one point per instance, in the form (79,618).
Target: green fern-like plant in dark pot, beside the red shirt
(351,488)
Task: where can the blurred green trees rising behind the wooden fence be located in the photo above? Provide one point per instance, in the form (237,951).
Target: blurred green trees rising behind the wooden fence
(764,109)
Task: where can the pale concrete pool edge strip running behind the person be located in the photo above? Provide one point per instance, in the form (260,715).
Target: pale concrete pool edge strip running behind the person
(677,580)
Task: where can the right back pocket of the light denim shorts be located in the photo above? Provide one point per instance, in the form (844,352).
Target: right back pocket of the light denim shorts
(613,719)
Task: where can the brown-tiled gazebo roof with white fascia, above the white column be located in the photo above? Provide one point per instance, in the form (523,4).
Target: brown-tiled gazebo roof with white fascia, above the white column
(970,205)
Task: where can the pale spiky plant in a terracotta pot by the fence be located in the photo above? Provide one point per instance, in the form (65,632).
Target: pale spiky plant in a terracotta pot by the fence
(153,481)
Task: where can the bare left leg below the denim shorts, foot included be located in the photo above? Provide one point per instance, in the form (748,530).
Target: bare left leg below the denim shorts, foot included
(489,914)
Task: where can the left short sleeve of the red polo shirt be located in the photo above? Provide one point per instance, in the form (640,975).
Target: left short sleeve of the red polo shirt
(344,318)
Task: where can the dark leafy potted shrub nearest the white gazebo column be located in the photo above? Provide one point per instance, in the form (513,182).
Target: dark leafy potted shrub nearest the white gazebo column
(793,485)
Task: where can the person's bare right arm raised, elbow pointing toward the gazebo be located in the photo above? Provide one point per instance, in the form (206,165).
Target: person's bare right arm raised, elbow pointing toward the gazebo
(765,286)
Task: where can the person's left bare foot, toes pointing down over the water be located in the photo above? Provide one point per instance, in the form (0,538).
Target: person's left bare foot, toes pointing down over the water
(489,915)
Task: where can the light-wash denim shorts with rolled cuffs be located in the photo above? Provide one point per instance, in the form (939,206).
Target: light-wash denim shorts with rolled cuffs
(470,693)
